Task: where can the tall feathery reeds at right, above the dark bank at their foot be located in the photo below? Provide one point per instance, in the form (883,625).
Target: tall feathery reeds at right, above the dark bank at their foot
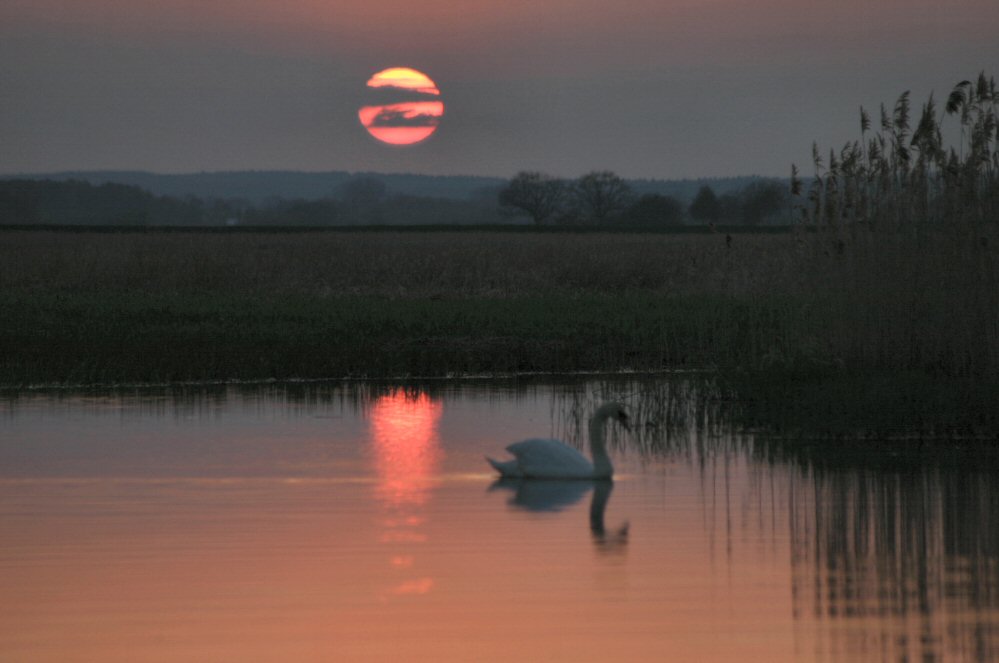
(906,227)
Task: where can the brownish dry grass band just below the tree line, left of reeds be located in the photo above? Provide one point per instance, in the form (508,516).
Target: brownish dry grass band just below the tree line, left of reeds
(394,264)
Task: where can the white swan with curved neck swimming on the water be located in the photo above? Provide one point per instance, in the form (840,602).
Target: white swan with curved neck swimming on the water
(551,459)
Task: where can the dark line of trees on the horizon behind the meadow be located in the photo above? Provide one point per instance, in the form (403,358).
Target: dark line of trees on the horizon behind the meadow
(599,198)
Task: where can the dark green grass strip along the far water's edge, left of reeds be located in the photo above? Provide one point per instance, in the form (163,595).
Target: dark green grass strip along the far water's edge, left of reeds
(135,337)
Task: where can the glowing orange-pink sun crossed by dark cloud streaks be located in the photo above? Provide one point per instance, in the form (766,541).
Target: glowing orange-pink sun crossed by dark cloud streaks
(406,107)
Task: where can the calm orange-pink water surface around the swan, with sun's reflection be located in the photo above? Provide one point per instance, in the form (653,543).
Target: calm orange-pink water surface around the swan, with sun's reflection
(362,524)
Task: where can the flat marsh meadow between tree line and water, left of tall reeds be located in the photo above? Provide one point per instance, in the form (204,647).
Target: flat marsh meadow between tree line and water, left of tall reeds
(82,307)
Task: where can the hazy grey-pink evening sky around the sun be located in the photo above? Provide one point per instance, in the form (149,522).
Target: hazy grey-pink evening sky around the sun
(648,88)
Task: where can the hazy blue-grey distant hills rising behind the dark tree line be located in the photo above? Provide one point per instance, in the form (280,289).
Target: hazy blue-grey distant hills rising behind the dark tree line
(260,186)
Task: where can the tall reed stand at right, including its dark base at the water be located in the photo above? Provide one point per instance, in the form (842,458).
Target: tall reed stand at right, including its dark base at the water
(900,265)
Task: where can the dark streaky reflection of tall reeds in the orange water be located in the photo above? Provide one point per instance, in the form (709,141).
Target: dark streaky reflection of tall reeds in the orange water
(902,565)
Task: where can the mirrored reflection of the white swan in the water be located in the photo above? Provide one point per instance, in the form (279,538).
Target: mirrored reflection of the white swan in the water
(552,496)
